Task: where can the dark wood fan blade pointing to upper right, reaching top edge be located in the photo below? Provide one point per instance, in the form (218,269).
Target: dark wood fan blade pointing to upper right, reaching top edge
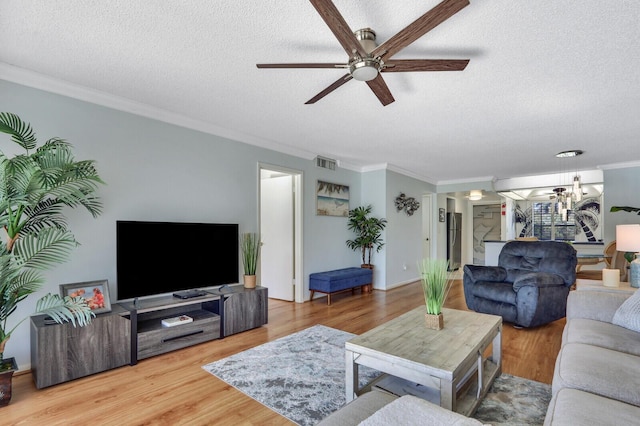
(420,27)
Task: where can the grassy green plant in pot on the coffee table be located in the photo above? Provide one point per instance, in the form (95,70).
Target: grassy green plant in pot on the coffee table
(436,283)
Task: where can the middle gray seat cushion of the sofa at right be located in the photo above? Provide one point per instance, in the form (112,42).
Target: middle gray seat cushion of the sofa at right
(601,371)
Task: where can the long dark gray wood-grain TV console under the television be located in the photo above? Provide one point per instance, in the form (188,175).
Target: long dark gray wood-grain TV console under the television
(134,331)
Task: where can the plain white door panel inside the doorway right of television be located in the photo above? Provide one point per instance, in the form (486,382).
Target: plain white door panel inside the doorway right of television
(277,232)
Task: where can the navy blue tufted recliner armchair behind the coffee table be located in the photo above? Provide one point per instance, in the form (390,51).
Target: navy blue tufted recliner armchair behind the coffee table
(530,285)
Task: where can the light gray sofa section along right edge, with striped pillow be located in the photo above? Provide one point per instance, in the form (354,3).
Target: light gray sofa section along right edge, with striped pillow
(597,371)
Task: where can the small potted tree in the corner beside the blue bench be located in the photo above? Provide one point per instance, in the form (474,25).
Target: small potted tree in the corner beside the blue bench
(368,230)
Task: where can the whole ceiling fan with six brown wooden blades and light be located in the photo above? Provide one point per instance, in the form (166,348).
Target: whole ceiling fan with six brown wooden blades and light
(367,61)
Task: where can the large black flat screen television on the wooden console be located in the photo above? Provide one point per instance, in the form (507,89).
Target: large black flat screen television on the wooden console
(163,257)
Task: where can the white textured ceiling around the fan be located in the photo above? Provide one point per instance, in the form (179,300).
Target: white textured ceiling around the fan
(545,76)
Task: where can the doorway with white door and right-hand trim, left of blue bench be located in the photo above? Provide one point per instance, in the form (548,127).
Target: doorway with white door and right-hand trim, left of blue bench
(280,206)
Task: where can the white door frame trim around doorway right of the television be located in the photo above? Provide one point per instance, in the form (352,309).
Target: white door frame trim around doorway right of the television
(297,176)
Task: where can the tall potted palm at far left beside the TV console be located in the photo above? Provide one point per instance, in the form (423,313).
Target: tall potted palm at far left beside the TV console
(35,187)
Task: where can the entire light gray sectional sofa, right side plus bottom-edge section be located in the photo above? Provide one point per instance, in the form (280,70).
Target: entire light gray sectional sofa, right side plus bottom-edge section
(596,377)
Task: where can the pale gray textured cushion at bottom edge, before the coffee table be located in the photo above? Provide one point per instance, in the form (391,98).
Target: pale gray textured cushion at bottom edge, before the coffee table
(410,410)
